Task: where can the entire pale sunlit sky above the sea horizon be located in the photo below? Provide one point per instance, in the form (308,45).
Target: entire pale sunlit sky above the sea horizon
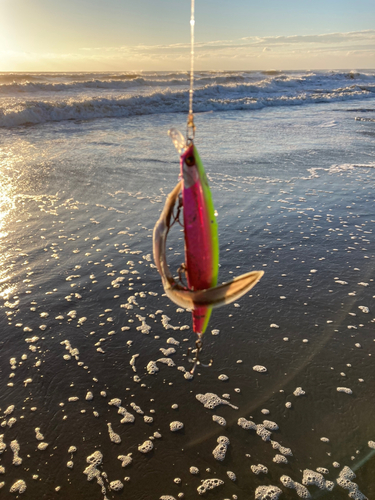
(135,35)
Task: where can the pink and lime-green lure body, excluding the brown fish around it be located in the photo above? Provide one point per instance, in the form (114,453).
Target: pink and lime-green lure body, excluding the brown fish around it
(201,232)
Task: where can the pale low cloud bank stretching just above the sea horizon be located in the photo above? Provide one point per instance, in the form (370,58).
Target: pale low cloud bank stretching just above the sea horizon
(285,50)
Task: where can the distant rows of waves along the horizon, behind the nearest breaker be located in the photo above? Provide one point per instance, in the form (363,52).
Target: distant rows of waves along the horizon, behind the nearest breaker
(14,85)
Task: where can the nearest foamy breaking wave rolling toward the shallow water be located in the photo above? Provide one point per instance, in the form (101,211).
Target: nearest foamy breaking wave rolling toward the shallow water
(211,97)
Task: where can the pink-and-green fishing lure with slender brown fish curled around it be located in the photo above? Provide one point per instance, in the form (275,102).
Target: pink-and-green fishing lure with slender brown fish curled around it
(201,243)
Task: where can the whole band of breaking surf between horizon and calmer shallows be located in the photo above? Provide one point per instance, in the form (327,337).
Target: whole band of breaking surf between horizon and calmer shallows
(39,98)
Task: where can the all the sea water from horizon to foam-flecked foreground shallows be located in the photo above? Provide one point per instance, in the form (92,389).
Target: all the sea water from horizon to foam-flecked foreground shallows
(85,167)
